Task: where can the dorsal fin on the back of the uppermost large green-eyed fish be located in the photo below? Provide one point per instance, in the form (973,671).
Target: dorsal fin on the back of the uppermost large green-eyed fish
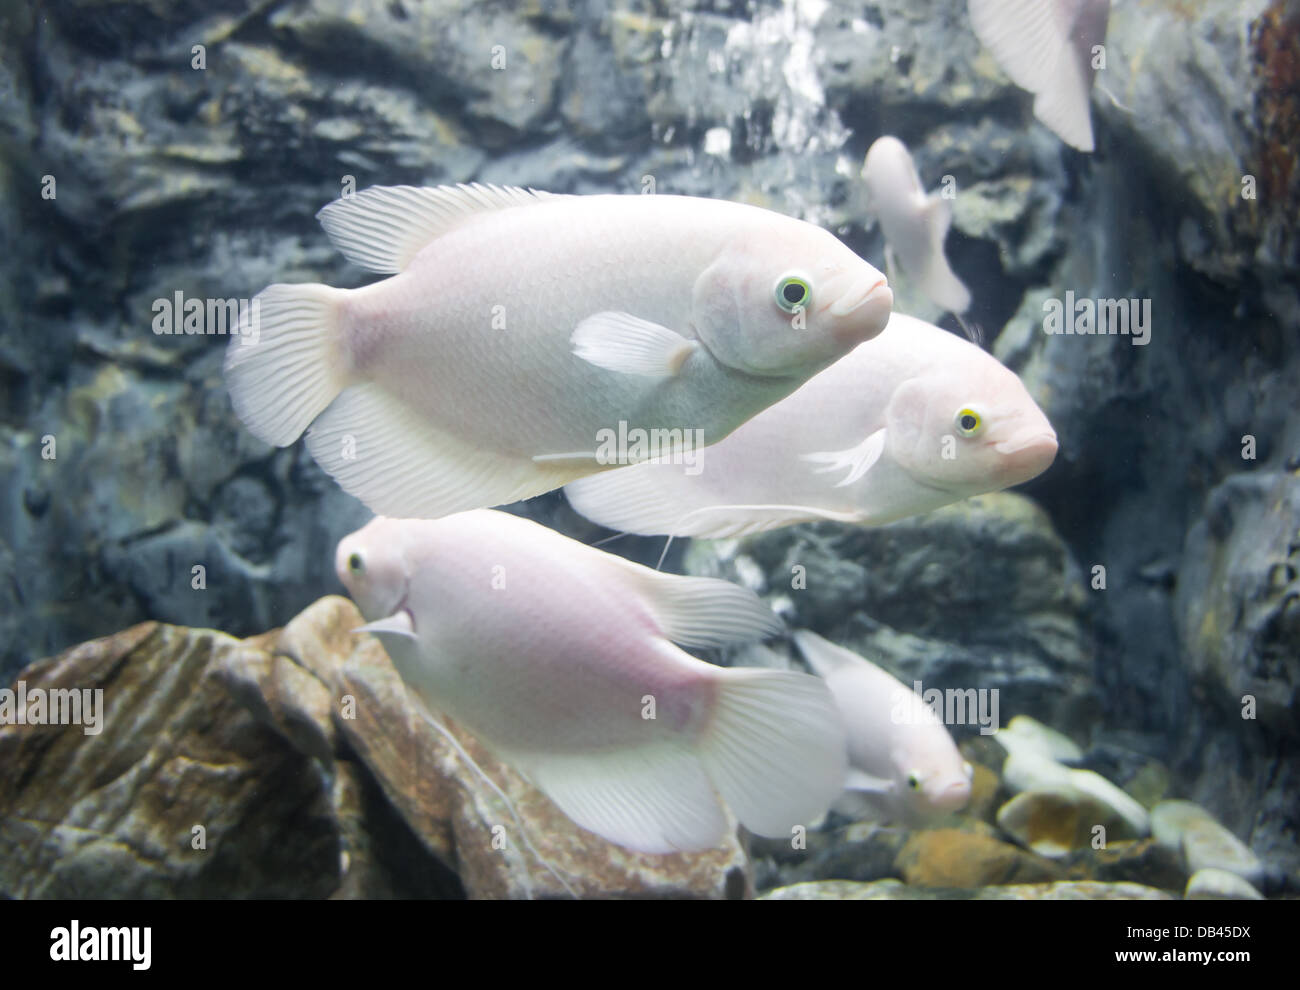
(383,228)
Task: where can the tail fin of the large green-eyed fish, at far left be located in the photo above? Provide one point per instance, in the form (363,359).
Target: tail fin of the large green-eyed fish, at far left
(285,364)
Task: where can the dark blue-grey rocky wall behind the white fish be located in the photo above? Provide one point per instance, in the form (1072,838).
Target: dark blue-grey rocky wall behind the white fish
(171,179)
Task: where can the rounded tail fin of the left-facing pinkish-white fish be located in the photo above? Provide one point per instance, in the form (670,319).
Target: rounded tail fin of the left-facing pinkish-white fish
(775,749)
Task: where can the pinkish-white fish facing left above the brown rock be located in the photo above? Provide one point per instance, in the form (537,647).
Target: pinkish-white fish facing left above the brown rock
(562,661)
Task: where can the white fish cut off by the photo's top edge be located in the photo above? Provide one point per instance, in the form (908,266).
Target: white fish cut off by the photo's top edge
(1047,49)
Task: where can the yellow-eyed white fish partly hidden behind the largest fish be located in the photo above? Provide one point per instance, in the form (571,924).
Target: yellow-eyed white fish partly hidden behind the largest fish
(911,422)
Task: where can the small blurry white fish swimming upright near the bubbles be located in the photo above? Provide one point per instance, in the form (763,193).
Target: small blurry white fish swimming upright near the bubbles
(915,224)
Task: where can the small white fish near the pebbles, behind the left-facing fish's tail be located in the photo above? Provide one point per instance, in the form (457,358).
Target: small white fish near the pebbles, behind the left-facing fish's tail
(903,763)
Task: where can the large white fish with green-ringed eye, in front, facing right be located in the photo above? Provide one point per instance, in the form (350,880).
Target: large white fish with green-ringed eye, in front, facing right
(522,329)
